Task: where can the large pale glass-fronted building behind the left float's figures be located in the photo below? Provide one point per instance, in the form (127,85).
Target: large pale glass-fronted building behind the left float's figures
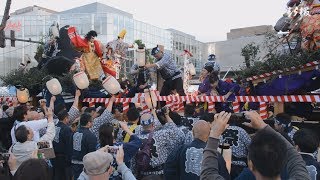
(34,22)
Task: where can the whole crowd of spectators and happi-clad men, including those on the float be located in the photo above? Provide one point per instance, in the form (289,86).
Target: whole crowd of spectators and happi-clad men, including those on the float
(88,143)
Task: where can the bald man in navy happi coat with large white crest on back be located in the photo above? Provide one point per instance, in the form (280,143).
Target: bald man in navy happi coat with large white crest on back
(185,163)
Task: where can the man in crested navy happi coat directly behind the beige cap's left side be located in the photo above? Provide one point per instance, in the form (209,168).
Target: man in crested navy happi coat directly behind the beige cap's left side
(84,142)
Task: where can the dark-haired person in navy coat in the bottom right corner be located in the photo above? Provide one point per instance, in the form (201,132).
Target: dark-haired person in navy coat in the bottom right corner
(306,143)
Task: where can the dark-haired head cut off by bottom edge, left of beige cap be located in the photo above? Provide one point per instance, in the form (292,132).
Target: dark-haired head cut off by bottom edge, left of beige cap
(33,169)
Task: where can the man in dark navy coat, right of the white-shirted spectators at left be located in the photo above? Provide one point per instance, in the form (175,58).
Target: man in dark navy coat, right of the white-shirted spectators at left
(62,144)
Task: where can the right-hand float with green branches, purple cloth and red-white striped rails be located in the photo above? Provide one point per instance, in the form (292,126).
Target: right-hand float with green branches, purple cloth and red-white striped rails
(288,80)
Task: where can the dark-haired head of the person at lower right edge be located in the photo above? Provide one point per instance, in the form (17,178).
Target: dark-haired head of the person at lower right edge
(306,140)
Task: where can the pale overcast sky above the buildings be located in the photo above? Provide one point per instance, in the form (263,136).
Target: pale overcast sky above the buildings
(207,20)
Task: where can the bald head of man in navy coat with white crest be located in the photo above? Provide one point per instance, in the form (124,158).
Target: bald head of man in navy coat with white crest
(201,130)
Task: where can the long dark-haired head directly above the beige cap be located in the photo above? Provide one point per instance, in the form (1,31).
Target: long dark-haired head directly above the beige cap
(106,134)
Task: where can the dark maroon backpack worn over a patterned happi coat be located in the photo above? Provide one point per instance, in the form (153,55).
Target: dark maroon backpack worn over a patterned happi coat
(144,155)
